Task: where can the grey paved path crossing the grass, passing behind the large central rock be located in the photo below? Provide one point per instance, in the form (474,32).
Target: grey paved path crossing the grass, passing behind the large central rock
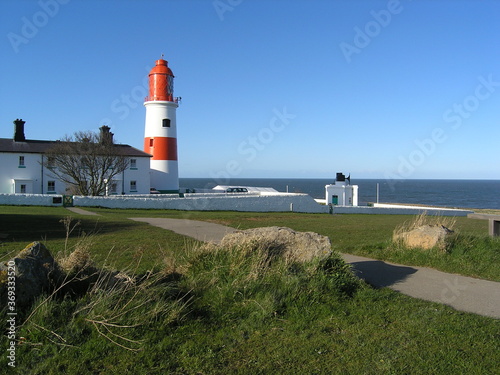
(460,292)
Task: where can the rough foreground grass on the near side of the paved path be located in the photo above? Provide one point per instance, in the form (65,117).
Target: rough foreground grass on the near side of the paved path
(195,310)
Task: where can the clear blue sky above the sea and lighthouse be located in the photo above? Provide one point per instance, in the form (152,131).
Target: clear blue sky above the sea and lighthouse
(270,88)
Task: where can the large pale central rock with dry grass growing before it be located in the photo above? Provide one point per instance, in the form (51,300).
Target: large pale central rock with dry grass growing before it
(281,241)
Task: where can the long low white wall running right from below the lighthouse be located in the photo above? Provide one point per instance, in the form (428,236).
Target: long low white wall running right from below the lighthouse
(249,203)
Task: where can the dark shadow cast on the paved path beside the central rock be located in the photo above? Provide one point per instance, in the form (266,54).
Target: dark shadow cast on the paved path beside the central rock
(380,274)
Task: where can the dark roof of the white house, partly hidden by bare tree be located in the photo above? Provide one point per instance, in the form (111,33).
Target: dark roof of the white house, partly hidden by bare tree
(39,147)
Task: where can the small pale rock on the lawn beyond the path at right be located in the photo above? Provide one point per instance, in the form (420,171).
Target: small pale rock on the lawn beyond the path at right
(424,237)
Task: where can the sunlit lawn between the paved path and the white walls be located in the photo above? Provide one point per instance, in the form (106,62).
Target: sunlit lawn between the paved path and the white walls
(475,255)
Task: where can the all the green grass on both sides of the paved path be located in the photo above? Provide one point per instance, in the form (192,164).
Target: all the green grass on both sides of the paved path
(205,315)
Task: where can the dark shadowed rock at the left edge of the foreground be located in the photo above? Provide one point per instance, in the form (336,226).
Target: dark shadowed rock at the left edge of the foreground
(35,271)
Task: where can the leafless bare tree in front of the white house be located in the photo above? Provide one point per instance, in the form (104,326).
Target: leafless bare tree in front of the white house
(87,161)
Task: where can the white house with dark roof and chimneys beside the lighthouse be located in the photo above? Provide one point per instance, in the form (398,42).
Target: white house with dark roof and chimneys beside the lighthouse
(22,169)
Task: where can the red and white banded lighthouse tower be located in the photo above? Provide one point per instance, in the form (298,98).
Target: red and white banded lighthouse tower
(160,130)
